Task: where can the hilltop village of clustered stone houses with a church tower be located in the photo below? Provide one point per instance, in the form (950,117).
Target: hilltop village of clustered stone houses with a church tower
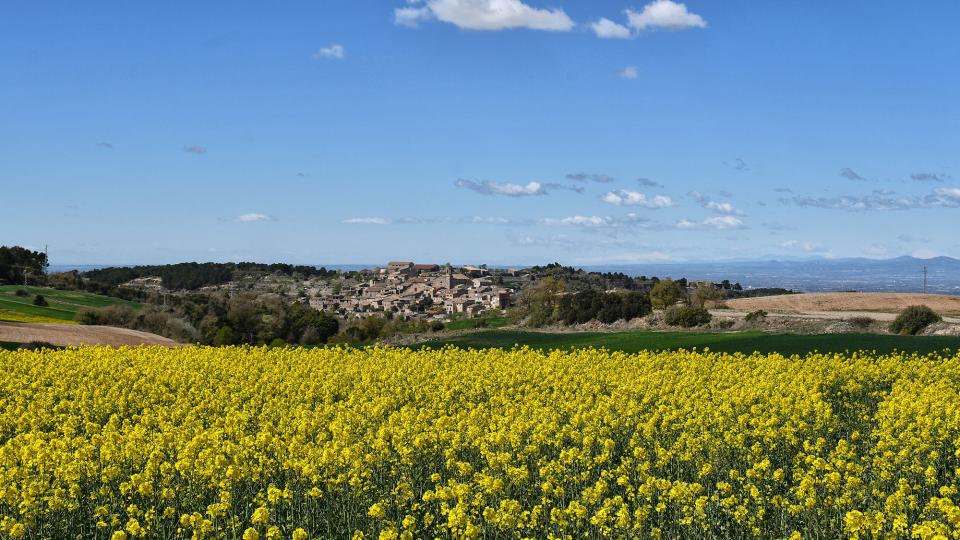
(421,291)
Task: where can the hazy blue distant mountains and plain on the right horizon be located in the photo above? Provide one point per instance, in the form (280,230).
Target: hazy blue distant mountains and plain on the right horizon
(902,274)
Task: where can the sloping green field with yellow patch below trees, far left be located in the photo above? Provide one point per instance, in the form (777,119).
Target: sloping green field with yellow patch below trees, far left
(63,305)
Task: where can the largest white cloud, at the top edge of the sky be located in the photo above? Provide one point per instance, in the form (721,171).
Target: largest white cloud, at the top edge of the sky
(485,15)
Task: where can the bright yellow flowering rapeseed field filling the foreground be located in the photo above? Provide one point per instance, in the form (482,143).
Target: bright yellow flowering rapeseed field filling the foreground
(389,443)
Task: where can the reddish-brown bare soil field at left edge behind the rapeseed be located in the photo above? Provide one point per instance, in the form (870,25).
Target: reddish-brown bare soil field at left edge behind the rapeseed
(75,334)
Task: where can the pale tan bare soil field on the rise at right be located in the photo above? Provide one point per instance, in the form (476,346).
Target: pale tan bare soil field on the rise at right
(850,303)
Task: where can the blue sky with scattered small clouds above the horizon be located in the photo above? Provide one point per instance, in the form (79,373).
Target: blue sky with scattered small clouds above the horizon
(497,131)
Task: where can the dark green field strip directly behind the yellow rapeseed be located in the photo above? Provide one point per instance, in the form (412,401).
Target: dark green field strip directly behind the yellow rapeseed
(745,342)
